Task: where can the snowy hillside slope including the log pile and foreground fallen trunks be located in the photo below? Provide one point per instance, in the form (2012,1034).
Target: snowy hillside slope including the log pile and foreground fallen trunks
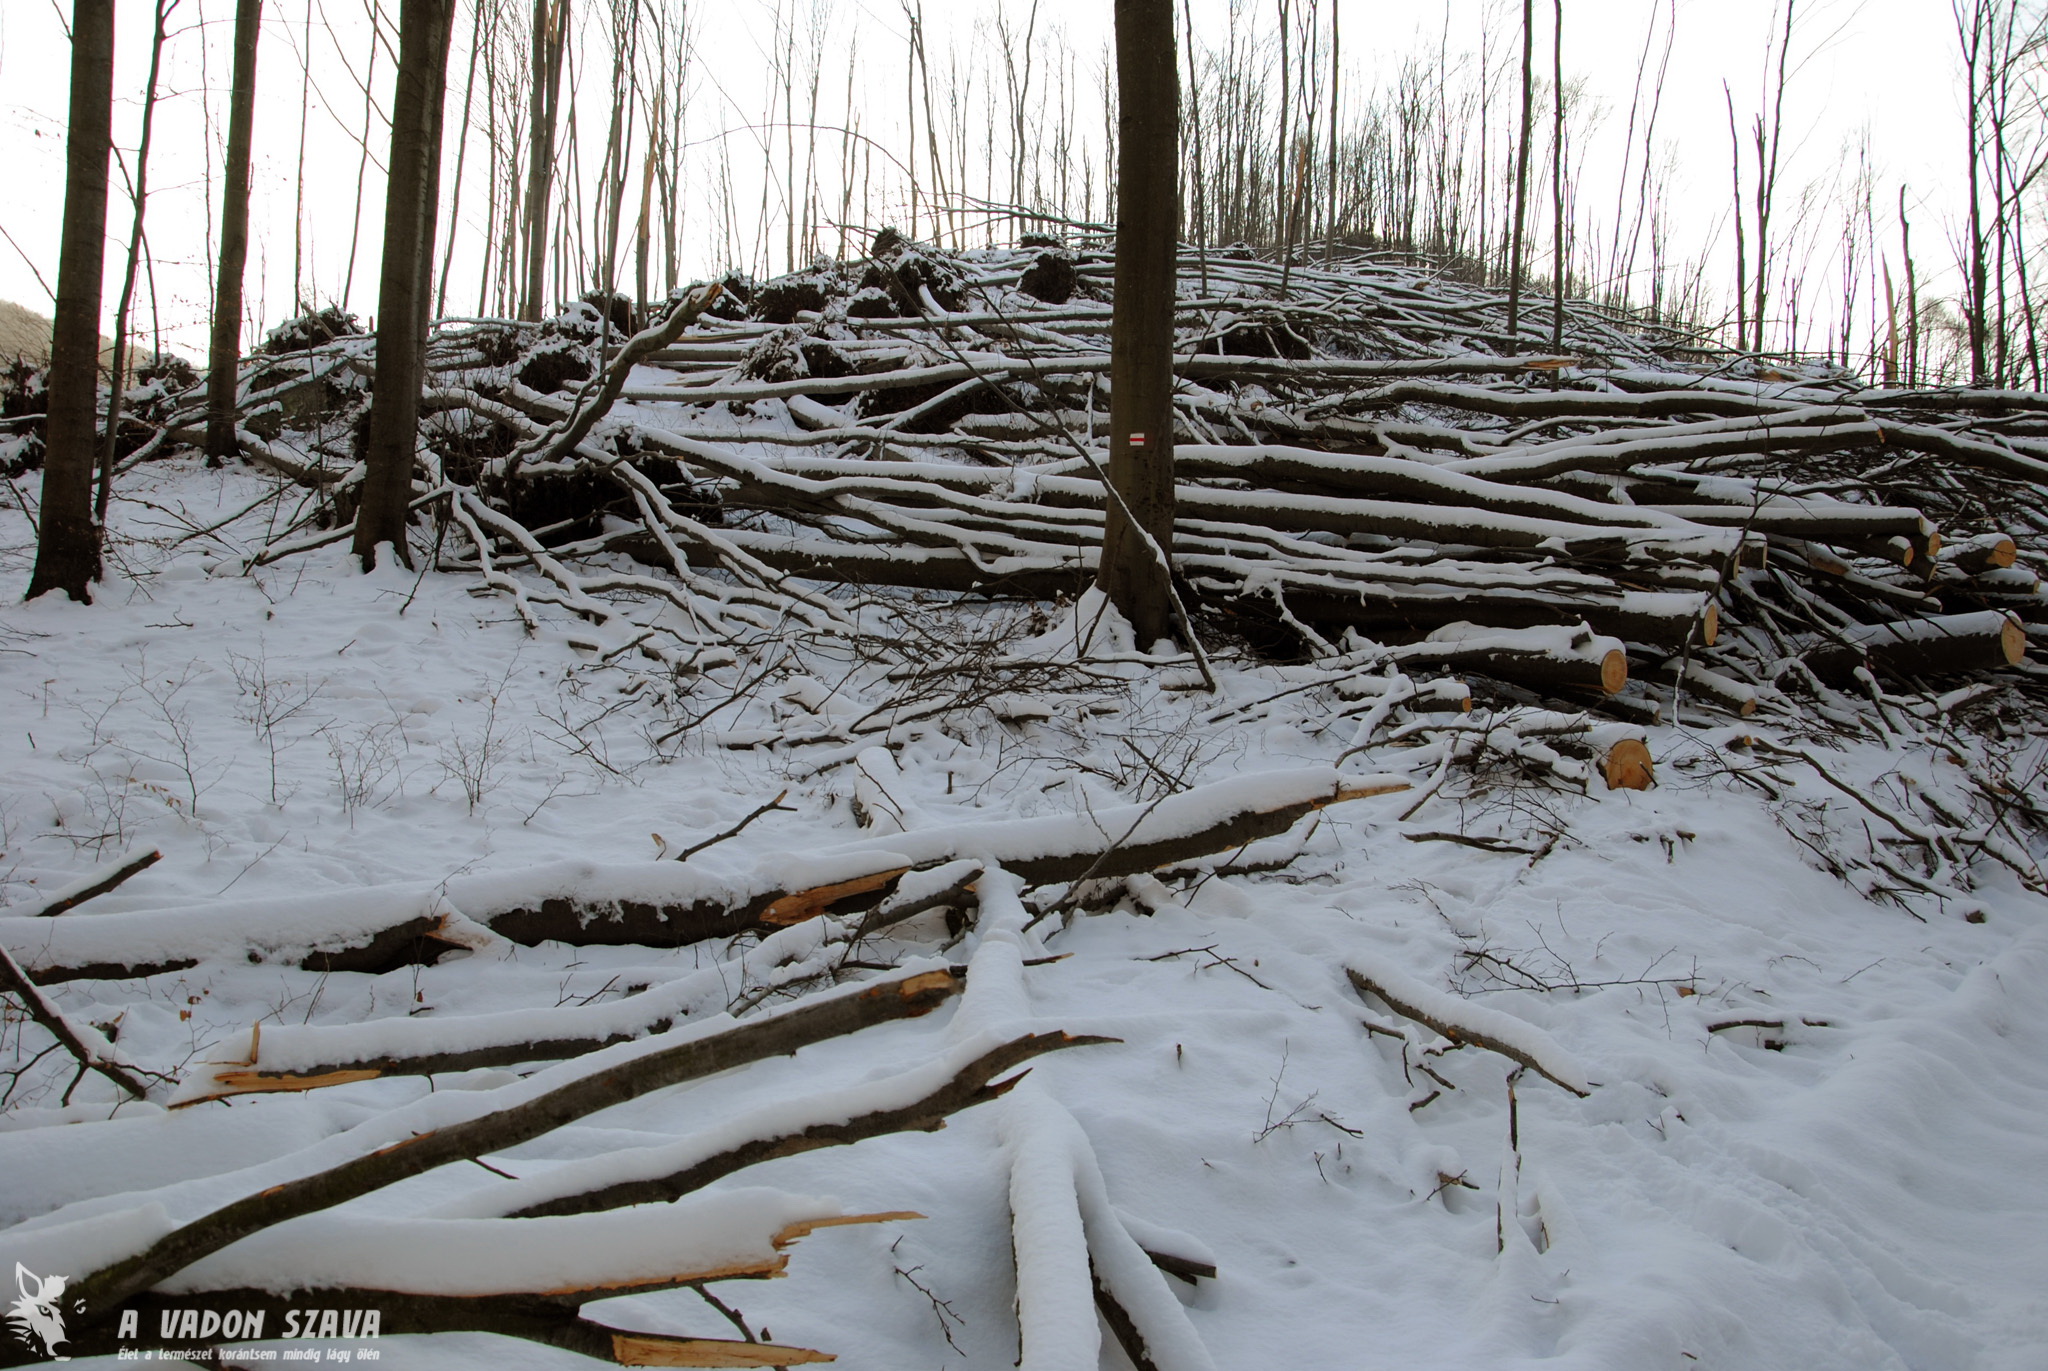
(1582,909)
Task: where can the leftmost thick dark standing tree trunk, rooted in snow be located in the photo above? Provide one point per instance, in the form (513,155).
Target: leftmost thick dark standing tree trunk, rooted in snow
(69,542)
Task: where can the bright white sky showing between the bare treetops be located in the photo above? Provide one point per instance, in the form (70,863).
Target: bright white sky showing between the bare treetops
(1879,65)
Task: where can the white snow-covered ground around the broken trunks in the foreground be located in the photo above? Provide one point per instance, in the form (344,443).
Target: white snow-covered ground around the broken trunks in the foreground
(1861,1188)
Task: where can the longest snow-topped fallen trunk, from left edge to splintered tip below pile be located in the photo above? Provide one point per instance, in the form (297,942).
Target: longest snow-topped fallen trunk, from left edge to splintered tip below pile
(669,905)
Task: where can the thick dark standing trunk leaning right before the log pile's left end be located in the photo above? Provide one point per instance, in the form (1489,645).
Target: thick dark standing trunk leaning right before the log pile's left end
(402,296)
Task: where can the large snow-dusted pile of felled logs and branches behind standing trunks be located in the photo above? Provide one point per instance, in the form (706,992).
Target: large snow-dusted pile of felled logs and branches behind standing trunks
(1363,460)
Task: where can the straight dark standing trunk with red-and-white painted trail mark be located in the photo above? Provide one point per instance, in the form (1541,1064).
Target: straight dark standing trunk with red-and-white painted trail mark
(1140,528)
